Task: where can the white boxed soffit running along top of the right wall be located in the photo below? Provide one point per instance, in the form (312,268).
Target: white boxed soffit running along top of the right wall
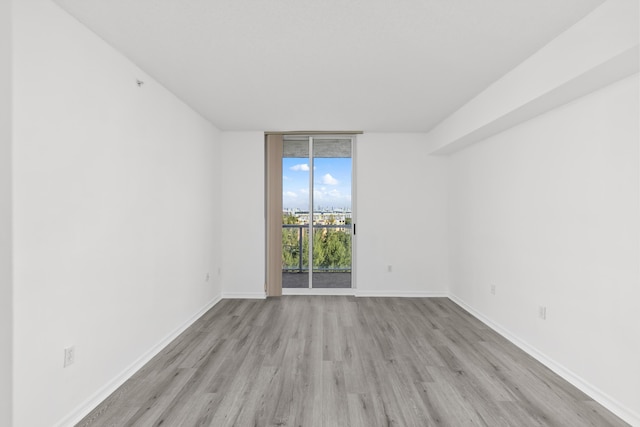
(600,49)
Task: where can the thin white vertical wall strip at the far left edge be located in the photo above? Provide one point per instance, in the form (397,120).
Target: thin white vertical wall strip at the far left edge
(6,280)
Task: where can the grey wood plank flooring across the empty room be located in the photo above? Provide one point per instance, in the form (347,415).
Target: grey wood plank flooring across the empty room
(344,361)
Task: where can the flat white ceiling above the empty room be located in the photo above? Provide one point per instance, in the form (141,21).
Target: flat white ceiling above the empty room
(373,65)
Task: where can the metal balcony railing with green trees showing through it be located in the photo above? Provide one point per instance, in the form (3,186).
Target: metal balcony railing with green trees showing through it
(295,248)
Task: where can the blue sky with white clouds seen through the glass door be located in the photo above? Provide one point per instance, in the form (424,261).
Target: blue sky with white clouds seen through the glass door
(332,183)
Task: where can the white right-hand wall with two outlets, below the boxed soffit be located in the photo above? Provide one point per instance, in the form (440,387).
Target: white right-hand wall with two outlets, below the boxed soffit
(548,213)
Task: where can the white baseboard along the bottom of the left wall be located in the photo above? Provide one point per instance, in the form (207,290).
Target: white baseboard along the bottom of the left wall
(99,396)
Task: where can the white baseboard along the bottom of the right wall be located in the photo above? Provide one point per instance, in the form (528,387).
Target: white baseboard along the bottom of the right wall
(627,414)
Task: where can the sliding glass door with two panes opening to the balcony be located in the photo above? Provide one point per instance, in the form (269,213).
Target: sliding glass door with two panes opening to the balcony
(317,212)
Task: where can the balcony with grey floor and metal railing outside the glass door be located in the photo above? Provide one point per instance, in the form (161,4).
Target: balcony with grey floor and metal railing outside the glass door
(331,256)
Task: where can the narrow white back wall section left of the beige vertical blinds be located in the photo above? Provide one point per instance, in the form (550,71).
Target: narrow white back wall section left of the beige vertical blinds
(243,226)
